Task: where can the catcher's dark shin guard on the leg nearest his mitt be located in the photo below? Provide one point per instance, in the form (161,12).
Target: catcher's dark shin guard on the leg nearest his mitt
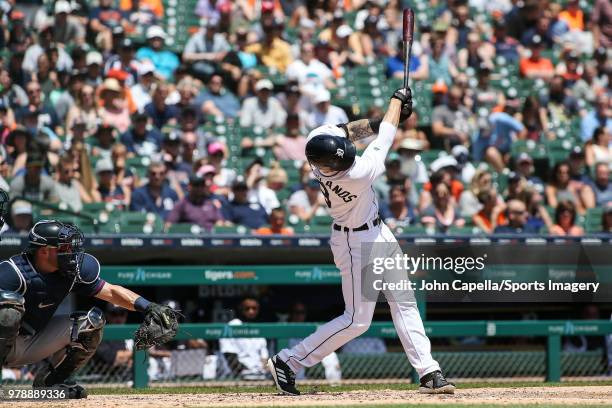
(85,338)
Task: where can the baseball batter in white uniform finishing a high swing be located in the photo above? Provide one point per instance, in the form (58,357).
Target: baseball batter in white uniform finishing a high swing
(346,182)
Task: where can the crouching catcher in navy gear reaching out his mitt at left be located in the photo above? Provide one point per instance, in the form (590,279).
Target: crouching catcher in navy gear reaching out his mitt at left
(32,286)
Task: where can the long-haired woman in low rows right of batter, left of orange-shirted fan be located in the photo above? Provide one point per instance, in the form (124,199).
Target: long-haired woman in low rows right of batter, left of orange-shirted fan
(442,213)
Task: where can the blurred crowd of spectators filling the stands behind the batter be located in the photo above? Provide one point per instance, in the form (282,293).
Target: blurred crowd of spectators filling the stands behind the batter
(101,103)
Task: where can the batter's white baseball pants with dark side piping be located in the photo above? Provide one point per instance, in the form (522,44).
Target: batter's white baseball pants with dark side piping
(357,316)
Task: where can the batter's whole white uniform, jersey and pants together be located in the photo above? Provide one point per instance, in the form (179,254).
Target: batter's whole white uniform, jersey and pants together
(352,203)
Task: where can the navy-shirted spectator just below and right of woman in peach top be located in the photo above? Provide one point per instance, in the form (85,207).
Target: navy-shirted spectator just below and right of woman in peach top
(142,139)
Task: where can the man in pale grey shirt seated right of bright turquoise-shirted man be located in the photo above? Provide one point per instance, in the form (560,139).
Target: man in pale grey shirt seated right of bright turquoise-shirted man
(206,49)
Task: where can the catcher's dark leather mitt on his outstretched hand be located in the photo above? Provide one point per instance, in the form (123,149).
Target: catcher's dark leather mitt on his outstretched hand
(159,326)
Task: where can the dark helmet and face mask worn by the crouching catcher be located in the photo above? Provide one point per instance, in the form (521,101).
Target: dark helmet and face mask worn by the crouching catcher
(68,240)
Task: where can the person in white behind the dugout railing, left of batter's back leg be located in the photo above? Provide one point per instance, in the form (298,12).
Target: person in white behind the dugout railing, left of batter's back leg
(246,357)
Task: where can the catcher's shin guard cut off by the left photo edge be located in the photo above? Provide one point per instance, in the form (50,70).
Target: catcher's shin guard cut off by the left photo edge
(11,312)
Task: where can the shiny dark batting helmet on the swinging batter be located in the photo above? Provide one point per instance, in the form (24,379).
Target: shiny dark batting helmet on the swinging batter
(334,152)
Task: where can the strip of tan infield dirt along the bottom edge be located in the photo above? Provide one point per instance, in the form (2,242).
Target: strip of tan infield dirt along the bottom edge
(545,396)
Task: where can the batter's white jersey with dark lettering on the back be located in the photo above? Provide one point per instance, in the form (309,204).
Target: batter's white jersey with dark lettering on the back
(349,194)
